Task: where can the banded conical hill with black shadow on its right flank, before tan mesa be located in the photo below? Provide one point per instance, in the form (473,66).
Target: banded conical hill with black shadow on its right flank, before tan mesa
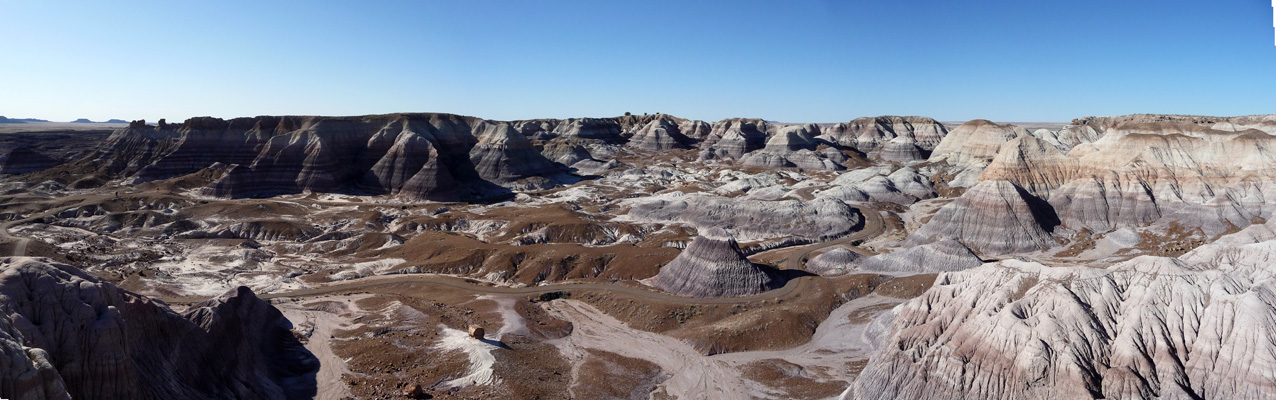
(995,218)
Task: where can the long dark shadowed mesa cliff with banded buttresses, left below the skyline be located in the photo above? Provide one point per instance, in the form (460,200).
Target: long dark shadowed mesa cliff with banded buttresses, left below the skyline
(433,157)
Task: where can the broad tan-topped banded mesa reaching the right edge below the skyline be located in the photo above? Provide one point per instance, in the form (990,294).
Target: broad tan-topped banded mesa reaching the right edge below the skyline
(1141,171)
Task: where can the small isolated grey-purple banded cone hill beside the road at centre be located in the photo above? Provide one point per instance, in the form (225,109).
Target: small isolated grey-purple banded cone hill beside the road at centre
(713,266)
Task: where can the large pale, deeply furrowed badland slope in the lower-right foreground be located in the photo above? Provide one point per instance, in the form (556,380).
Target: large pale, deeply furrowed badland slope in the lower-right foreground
(1194,328)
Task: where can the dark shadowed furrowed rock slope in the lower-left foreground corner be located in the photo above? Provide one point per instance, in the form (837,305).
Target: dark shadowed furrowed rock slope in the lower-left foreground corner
(68,335)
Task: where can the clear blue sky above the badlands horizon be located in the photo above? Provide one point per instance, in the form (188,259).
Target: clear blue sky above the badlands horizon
(780,61)
